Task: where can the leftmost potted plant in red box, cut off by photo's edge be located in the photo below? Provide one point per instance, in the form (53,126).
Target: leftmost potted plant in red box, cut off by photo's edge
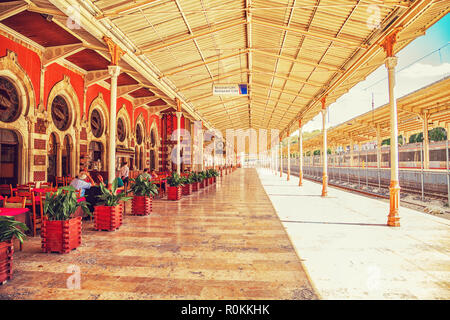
(9,228)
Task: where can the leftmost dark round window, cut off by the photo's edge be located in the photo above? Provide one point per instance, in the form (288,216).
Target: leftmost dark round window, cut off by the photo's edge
(9,101)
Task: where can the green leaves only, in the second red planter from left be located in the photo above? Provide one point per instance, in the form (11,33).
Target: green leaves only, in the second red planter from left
(62,204)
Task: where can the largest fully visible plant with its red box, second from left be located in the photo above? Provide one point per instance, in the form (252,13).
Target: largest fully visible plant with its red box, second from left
(61,231)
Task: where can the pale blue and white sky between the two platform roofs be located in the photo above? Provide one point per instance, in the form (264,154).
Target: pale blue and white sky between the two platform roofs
(419,64)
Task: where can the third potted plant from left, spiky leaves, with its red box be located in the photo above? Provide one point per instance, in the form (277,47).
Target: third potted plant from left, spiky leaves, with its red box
(108,215)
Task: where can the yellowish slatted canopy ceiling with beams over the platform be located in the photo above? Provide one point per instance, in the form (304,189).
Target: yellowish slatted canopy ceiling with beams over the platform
(291,53)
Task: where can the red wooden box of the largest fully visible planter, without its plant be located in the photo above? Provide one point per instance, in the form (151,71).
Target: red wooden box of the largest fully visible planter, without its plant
(61,236)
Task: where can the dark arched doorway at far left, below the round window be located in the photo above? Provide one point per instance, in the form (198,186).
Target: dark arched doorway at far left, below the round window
(9,157)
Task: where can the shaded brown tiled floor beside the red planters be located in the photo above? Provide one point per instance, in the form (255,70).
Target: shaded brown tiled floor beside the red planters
(223,242)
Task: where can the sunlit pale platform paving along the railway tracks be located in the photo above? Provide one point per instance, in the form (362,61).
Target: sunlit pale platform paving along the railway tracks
(350,252)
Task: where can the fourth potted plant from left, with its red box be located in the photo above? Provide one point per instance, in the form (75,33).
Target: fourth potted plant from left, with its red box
(143,190)
